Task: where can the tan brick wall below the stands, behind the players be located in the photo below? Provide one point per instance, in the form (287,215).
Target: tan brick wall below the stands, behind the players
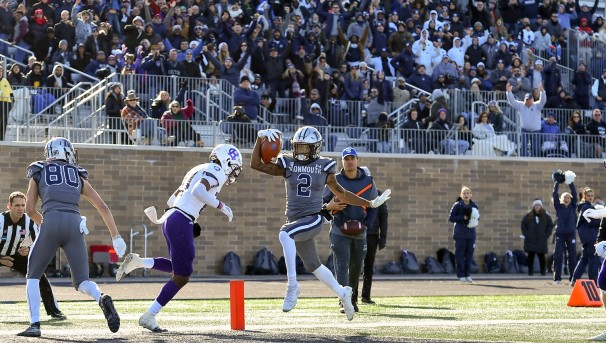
(424,189)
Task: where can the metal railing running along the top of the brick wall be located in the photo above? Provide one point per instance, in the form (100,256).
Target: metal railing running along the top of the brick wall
(192,134)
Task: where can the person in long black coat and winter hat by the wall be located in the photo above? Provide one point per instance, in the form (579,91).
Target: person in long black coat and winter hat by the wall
(536,227)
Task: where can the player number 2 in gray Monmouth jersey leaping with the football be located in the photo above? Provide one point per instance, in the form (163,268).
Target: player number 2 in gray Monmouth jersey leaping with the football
(305,174)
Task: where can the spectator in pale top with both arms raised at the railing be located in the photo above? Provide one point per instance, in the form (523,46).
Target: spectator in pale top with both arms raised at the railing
(530,118)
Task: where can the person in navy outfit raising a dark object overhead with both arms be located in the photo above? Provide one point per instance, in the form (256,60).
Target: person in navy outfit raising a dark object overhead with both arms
(565,235)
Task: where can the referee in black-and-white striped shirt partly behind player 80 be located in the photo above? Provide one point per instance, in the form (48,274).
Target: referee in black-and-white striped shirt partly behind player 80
(18,233)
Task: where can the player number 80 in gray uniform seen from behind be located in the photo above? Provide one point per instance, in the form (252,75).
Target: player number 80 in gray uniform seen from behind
(60,182)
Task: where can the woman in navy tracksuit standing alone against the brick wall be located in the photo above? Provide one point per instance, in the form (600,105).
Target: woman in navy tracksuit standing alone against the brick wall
(464,233)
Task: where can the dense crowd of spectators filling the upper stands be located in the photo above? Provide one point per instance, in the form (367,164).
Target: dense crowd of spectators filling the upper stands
(380,52)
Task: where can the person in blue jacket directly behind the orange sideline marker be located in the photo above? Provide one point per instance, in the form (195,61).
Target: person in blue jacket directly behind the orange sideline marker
(588,233)
